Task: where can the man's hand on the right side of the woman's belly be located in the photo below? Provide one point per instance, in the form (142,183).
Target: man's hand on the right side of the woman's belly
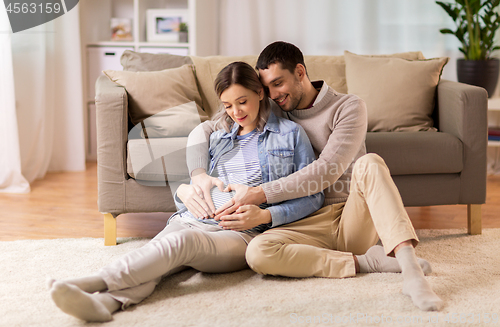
(244,195)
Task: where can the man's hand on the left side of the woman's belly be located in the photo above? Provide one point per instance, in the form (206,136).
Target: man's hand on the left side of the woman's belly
(202,184)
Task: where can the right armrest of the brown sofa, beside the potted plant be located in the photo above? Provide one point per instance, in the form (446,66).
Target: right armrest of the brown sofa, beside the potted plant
(462,112)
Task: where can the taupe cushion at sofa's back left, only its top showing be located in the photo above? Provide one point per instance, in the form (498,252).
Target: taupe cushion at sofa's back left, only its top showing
(143,62)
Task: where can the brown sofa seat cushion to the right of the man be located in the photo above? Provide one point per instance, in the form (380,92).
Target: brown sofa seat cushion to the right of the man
(410,153)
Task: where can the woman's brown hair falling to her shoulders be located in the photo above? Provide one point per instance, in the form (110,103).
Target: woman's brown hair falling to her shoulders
(243,74)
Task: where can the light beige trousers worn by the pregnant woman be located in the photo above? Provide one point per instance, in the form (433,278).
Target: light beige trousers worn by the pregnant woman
(183,243)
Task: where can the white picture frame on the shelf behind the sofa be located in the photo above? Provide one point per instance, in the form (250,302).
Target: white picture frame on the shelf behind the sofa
(162,25)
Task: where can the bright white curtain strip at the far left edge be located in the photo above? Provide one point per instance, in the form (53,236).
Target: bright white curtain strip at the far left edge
(11,179)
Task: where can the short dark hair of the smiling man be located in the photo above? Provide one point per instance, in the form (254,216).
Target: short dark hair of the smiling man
(287,54)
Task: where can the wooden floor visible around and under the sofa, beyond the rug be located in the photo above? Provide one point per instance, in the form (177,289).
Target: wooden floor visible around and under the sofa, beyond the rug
(64,205)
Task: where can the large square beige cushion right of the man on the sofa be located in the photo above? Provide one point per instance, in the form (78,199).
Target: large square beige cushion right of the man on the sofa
(399,93)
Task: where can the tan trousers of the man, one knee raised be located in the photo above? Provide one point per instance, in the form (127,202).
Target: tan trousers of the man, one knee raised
(323,243)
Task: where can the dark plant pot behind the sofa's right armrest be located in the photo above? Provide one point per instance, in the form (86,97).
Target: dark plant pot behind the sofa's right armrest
(483,73)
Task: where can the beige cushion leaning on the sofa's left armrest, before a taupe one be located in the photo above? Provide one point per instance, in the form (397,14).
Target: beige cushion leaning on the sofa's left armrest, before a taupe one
(150,93)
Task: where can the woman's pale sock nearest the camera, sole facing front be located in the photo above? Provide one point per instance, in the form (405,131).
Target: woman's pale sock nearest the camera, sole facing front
(73,301)
